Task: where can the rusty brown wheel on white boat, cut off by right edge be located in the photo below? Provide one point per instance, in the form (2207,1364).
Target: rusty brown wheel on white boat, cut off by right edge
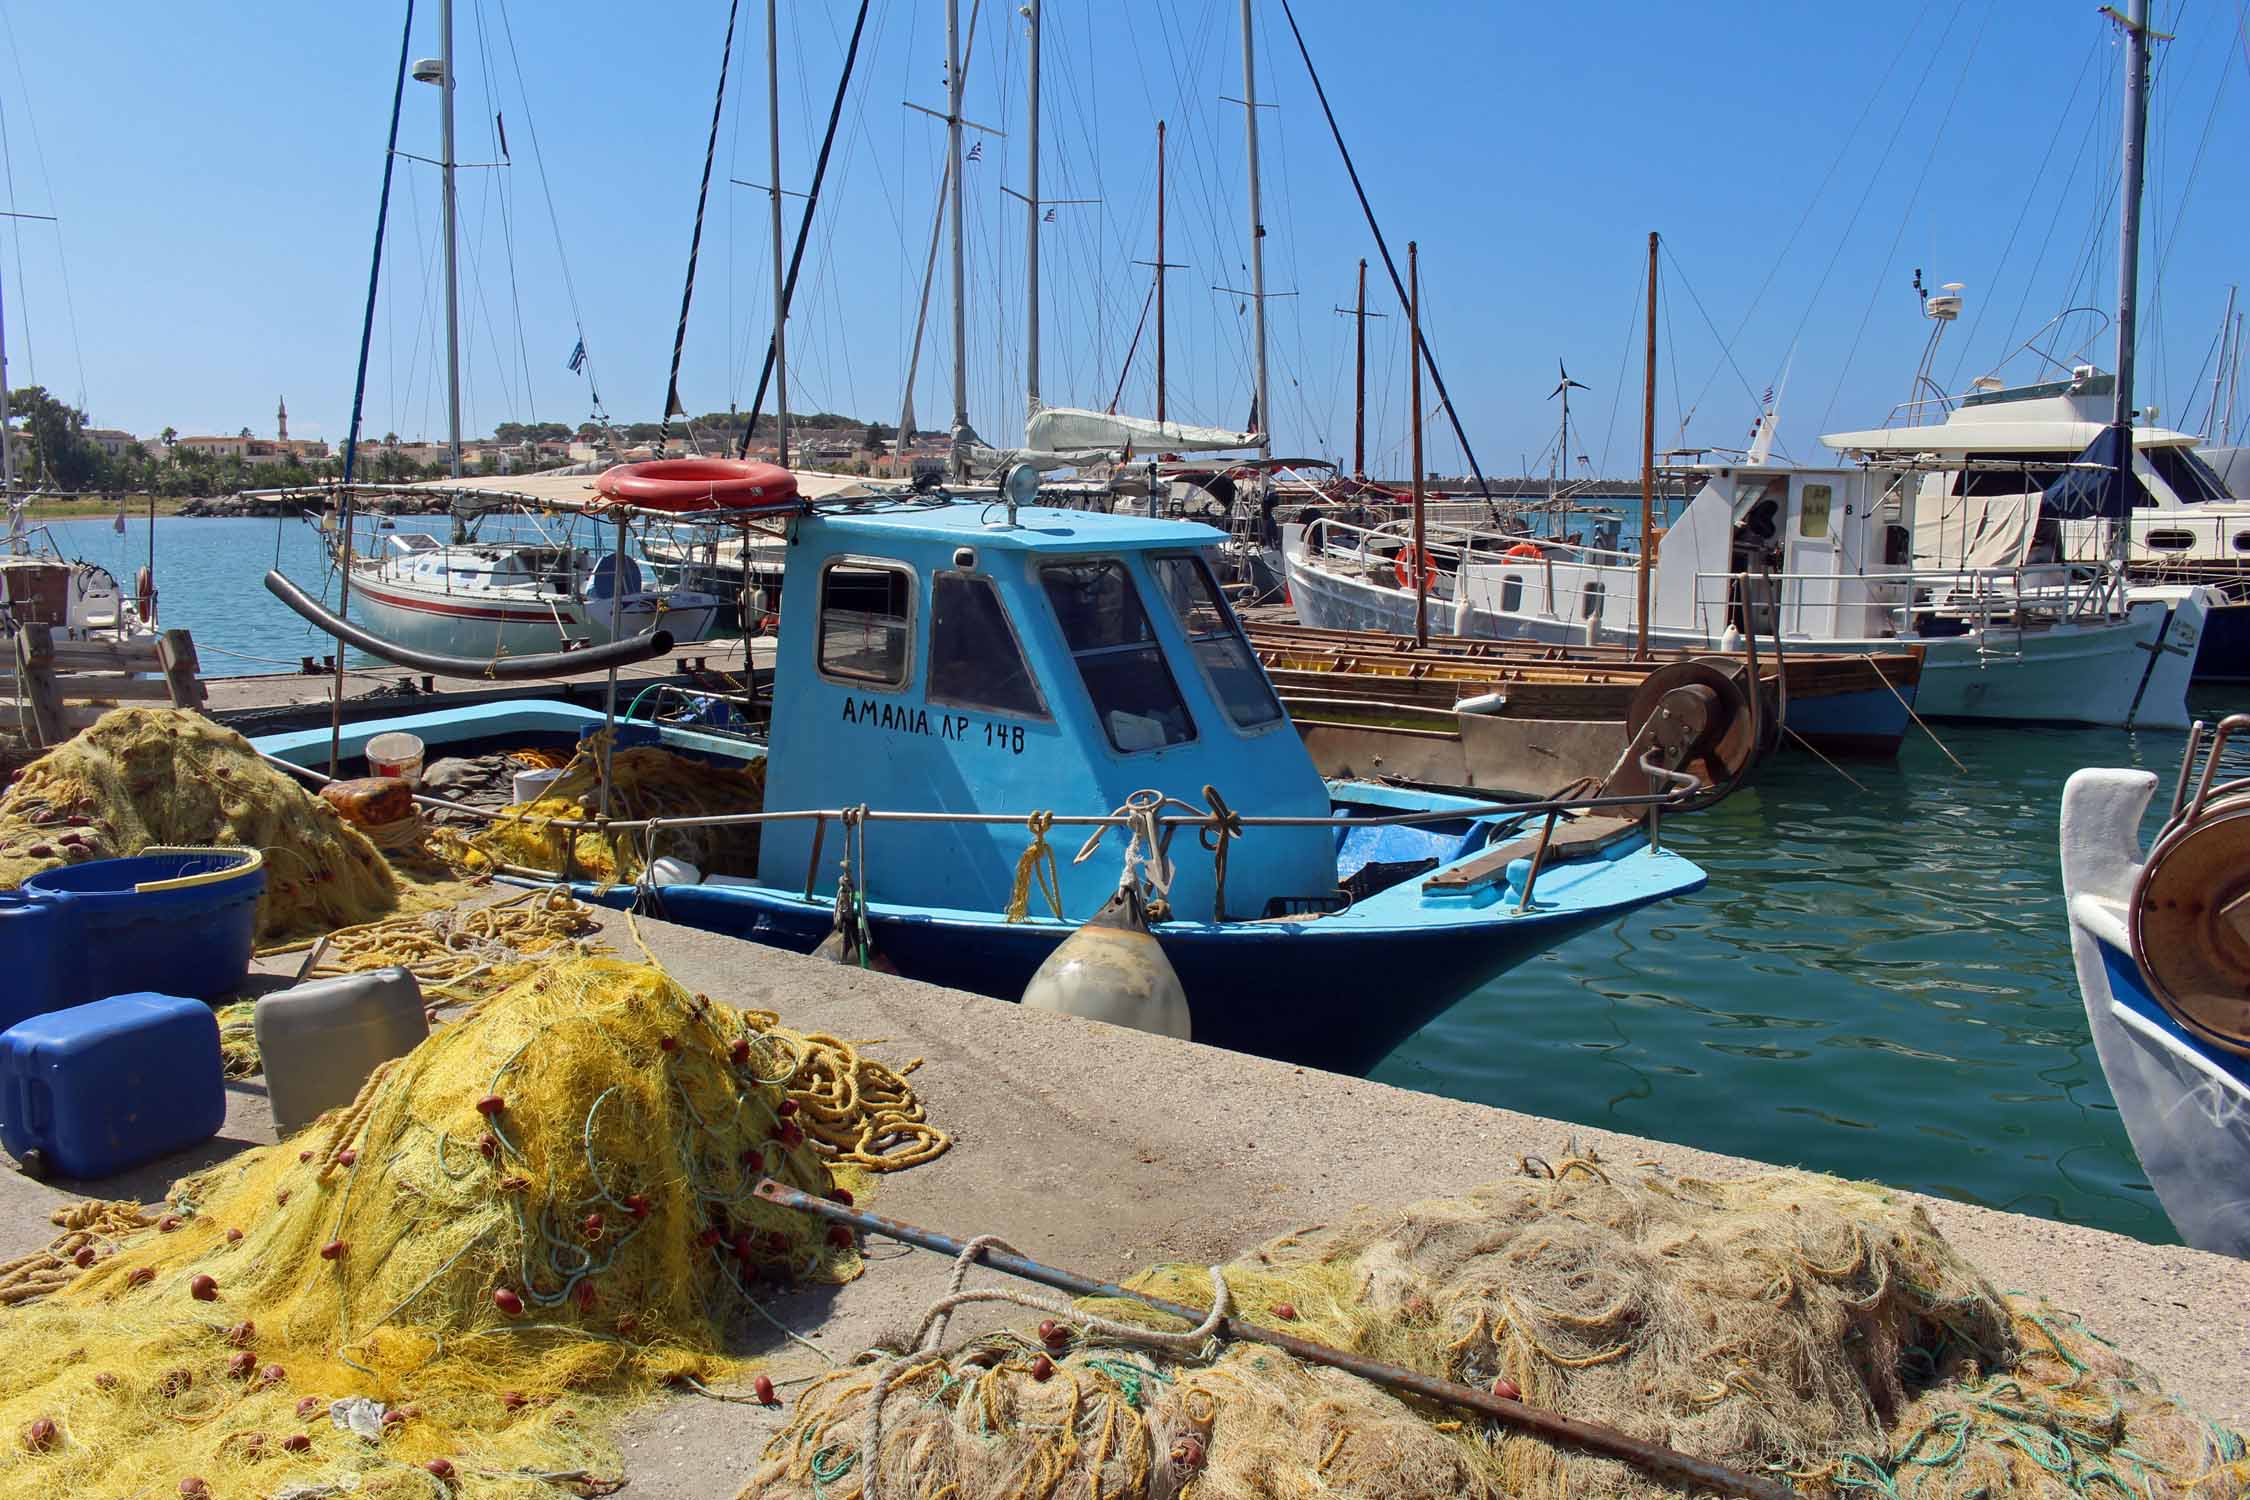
(2190,925)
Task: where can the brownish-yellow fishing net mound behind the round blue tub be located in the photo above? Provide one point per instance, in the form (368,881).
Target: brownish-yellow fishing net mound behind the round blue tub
(170,777)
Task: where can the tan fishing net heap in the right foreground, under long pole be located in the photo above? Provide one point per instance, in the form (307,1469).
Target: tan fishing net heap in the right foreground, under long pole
(1794,1328)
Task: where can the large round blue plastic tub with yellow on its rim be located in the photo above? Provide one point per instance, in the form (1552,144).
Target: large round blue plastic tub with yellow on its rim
(170,921)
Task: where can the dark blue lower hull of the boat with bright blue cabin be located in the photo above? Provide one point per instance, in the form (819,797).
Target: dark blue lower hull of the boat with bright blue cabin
(1306,993)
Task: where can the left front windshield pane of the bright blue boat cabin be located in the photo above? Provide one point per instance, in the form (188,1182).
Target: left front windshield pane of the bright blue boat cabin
(1117,653)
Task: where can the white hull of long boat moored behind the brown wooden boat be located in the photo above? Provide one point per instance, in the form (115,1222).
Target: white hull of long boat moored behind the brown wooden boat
(2067,674)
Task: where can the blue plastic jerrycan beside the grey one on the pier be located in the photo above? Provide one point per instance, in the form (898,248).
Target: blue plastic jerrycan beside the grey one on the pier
(102,1090)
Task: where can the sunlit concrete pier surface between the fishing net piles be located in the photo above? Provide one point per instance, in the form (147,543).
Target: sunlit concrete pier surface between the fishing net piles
(1106,1150)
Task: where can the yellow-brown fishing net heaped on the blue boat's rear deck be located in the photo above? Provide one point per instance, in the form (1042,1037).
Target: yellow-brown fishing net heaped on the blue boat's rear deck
(645,784)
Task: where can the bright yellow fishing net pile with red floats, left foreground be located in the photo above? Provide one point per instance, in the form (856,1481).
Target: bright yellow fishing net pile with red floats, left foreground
(534,1218)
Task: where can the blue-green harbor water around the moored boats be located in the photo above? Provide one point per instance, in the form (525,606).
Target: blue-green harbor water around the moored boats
(1875,984)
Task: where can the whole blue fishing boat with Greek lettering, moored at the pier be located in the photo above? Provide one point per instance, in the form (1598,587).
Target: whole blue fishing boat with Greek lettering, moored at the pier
(953,669)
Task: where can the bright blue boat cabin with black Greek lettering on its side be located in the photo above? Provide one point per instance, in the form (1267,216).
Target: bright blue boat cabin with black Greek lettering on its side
(953,656)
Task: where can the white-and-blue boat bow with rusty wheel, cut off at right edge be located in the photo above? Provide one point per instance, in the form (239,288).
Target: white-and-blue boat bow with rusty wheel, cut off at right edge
(2161,941)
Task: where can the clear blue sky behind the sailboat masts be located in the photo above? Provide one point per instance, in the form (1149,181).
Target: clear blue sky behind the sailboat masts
(217,170)
